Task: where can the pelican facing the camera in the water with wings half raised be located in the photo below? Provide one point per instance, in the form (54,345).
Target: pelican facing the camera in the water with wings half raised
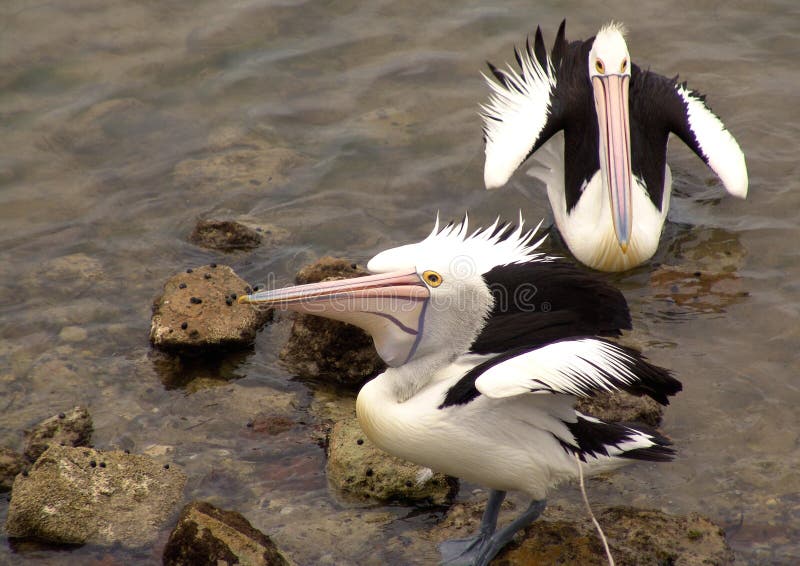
(599,126)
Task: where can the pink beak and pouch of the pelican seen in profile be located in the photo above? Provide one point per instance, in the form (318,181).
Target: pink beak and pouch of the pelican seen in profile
(389,306)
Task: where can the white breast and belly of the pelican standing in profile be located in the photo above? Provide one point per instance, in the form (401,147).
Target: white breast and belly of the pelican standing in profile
(501,444)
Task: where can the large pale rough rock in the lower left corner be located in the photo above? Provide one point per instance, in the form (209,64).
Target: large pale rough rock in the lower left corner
(81,495)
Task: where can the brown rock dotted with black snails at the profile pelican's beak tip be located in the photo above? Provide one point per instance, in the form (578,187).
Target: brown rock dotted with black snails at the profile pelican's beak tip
(198,310)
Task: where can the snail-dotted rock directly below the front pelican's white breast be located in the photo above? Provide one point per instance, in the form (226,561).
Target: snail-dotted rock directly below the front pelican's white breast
(358,467)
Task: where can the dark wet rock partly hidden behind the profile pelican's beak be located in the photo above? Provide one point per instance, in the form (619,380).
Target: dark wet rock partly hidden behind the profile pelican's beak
(323,348)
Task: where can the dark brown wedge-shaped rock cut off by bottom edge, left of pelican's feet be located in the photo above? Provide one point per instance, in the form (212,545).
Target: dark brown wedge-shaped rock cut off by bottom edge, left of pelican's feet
(206,535)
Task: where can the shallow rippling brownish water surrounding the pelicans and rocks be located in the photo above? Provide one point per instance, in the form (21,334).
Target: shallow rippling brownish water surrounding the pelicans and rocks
(365,114)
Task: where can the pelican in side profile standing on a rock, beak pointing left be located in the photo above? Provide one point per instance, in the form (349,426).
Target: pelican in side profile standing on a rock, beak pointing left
(489,343)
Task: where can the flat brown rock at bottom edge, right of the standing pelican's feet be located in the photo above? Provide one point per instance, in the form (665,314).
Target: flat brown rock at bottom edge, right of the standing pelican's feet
(635,536)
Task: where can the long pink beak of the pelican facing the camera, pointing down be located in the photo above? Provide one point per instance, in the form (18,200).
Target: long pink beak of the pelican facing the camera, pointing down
(611,103)
